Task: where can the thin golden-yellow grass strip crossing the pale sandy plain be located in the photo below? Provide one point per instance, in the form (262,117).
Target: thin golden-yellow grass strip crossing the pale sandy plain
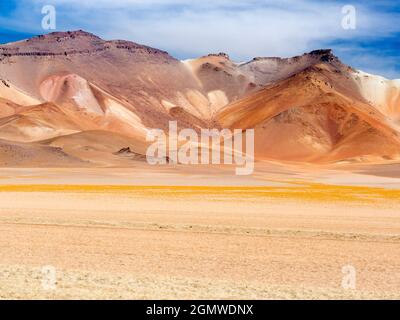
(306,192)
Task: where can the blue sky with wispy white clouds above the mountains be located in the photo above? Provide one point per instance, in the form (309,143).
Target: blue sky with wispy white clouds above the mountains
(243,29)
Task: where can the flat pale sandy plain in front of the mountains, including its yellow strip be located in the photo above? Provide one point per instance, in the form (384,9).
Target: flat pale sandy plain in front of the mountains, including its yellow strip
(282,240)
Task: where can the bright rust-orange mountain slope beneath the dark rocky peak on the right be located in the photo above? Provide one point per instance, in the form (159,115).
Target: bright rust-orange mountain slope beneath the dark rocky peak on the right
(312,116)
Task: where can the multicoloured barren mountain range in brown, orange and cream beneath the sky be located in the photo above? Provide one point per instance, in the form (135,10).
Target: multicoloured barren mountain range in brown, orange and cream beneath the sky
(74,99)
